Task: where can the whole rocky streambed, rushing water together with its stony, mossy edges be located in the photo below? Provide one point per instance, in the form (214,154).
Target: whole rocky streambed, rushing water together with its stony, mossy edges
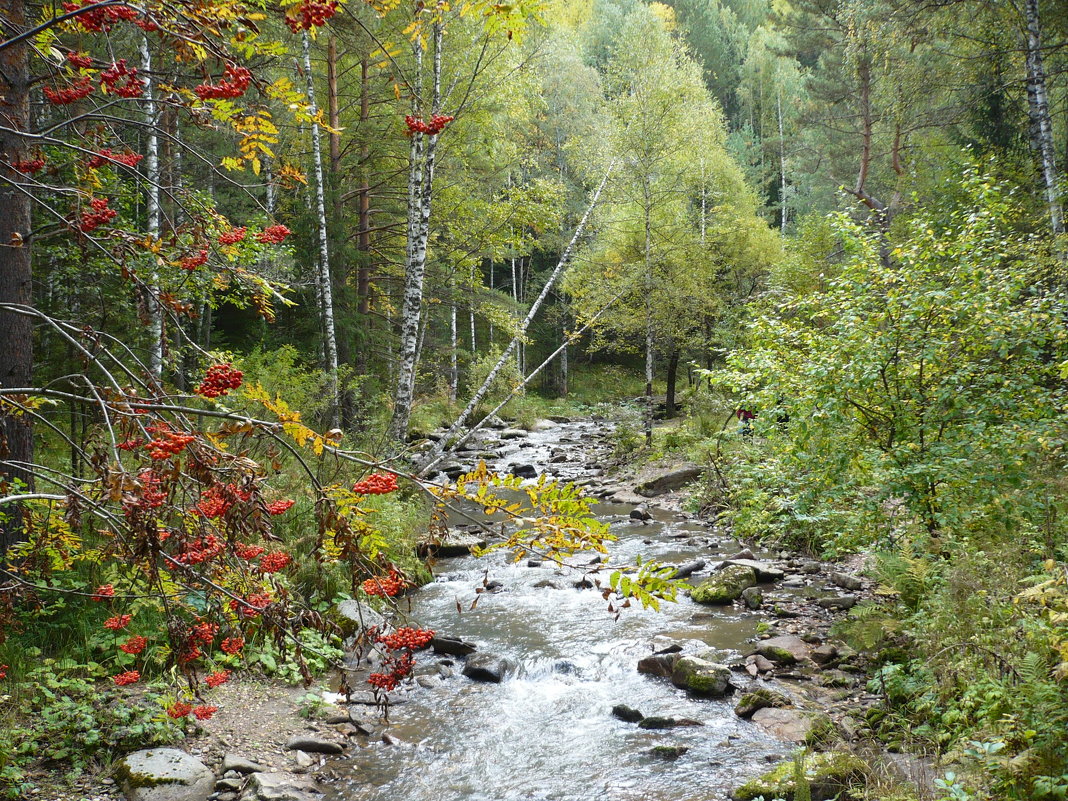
(536,690)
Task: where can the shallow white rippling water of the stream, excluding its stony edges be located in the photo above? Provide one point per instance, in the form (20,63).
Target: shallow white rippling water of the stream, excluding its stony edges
(547,731)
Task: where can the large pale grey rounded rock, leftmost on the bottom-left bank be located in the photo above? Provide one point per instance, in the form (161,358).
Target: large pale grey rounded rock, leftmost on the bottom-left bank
(165,775)
